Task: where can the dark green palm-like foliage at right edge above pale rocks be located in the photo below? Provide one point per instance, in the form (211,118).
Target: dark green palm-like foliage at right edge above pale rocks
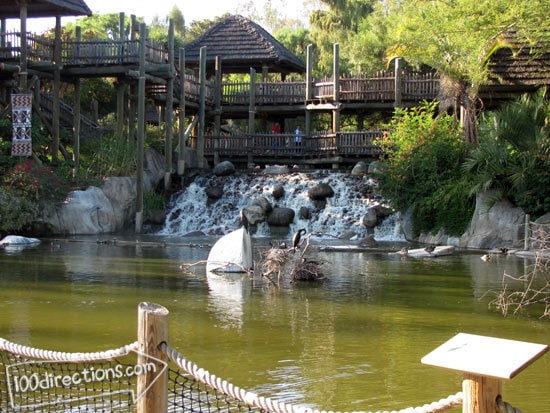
(514,154)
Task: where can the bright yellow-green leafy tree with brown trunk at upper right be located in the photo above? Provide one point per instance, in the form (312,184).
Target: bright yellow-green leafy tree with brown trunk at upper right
(458,37)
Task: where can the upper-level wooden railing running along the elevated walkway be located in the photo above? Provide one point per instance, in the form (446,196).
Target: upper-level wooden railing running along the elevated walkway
(89,58)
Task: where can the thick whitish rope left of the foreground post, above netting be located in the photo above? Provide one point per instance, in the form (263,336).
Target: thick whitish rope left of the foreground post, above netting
(49,355)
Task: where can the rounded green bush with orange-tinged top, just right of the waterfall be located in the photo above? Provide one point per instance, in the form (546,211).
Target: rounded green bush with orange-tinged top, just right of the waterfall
(424,153)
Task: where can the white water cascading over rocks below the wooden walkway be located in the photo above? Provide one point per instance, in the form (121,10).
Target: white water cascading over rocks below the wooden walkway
(191,210)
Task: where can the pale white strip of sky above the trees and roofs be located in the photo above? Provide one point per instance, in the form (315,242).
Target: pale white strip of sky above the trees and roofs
(192,10)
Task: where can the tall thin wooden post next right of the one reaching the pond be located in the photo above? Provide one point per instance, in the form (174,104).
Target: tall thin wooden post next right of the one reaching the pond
(169,109)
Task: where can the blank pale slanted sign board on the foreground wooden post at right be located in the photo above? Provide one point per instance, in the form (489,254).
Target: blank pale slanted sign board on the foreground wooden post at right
(485,356)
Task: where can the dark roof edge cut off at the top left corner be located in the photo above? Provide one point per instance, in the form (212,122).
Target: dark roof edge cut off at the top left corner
(9,9)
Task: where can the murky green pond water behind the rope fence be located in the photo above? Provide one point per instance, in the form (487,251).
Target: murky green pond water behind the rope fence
(350,343)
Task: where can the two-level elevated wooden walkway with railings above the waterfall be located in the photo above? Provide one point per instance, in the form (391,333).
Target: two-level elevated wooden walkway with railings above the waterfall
(263,101)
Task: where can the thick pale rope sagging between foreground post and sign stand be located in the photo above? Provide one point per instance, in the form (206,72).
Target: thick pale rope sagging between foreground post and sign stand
(265,403)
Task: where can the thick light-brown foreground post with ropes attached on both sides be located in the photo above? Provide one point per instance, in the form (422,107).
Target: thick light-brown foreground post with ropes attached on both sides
(152,388)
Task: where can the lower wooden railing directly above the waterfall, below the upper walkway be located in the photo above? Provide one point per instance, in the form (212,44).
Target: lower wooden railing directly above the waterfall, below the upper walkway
(316,145)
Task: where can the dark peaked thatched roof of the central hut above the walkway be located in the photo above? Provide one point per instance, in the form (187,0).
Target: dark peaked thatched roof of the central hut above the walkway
(242,44)
